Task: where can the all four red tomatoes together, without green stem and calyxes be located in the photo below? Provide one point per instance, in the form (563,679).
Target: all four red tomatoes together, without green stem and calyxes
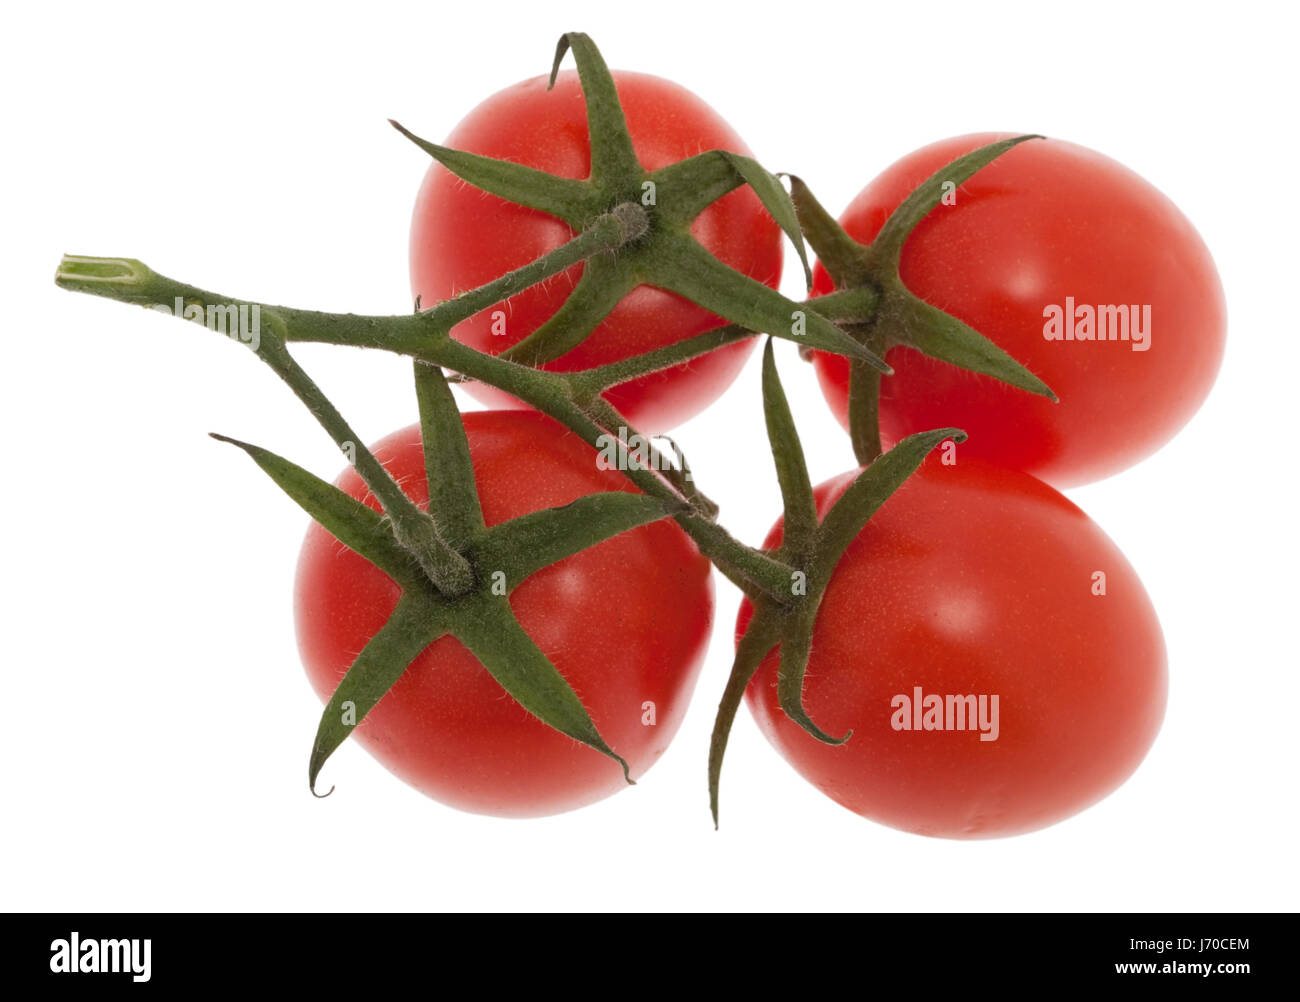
(976,585)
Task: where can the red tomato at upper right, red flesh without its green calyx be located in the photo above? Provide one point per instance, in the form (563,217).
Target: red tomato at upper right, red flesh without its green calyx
(1048,225)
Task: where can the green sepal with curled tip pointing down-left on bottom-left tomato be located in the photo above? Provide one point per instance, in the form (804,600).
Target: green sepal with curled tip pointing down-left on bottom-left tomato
(413,627)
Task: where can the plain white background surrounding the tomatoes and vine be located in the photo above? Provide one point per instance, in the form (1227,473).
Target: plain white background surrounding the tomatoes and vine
(157,722)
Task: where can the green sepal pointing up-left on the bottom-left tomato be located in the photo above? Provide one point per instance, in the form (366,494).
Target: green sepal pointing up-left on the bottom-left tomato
(354,524)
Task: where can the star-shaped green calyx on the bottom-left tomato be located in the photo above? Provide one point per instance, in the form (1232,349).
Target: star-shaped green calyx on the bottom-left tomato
(496,559)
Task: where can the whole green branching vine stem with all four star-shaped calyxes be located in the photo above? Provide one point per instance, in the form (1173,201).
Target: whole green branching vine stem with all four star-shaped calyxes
(632,228)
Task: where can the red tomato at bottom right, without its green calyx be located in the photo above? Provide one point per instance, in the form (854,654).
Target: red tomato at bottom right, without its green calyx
(974,580)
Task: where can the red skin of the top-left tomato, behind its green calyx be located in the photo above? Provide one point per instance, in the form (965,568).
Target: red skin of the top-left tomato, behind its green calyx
(462,238)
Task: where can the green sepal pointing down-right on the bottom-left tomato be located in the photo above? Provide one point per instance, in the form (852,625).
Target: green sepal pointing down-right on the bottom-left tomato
(491,632)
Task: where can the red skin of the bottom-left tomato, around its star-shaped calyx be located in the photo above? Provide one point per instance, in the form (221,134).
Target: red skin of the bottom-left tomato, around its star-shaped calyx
(626,623)
